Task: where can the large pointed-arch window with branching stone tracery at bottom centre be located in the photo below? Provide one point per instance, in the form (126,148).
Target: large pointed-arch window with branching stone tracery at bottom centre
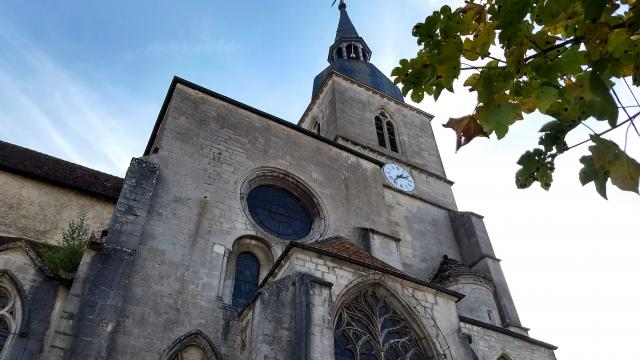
(368,327)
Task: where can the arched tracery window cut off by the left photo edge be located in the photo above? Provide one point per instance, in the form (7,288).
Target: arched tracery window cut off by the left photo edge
(11,313)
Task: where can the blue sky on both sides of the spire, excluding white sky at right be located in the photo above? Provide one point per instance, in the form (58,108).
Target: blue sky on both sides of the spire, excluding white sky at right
(90,75)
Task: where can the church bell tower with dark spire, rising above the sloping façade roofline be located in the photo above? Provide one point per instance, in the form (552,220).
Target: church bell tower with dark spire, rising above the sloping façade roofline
(357,105)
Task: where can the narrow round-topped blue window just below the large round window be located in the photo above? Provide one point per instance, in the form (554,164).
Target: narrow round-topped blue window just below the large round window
(246,279)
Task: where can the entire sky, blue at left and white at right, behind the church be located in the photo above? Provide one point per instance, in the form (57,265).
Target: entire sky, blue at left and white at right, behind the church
(84,80)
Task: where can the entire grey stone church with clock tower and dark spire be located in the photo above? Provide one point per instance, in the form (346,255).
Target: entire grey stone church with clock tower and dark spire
(238,235)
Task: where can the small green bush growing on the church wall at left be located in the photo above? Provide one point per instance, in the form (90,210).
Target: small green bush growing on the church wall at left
(66,257)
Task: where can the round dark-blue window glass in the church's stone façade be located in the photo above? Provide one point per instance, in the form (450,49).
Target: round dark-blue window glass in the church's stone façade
(279,212)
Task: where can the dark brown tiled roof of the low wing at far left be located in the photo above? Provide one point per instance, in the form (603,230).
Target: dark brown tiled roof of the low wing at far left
(36,165)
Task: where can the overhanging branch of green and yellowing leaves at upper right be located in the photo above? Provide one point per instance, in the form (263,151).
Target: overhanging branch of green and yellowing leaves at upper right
(557,57)
